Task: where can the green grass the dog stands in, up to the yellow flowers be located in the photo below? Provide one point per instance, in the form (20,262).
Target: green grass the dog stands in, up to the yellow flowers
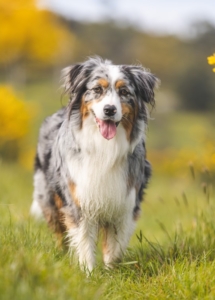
(171,255)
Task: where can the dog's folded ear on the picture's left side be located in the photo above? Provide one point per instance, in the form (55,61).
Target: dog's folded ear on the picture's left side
(71,77)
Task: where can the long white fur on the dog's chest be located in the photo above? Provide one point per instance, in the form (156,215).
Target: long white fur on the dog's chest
(100,175)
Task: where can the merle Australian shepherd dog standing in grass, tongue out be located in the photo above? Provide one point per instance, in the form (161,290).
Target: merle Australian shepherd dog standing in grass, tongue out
(90,167)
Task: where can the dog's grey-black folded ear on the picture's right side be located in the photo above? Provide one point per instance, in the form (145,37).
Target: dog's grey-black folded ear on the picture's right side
(144,82)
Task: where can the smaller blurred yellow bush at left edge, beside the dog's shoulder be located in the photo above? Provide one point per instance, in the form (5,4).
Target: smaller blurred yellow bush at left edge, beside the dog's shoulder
(14,121)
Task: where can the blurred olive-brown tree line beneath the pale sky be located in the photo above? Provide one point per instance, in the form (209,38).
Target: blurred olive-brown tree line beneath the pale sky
(181,64)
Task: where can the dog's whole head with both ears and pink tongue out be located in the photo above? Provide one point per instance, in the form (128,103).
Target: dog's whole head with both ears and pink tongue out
(109,95)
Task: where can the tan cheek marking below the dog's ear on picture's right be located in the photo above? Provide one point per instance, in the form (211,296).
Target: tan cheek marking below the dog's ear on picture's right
(128,119)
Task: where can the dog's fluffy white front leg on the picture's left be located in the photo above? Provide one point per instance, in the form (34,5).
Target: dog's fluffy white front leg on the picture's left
(82,241)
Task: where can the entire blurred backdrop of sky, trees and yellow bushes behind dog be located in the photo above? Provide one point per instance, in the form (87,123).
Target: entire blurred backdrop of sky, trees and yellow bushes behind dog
(171,38)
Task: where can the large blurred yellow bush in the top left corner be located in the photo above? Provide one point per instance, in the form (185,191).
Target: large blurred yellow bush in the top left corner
(28,32)
